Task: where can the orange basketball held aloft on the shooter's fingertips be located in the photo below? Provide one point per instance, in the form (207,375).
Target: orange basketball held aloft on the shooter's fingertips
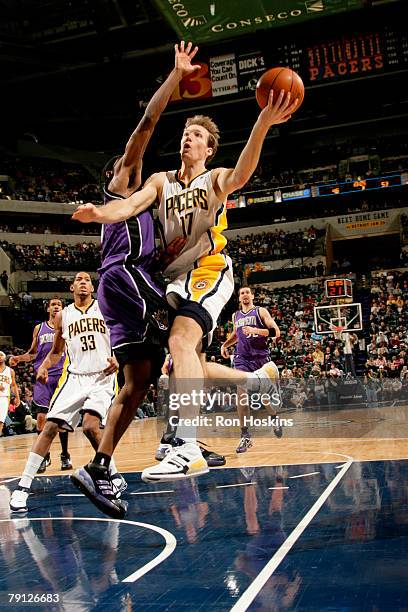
(277,79)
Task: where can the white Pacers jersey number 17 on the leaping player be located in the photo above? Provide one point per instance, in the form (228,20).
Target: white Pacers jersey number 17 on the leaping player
(194,212)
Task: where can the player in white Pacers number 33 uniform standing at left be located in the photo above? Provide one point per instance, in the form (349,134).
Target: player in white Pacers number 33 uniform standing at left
(87,385)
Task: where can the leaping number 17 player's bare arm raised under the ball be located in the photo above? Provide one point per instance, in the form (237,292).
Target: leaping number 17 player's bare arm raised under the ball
(228,180)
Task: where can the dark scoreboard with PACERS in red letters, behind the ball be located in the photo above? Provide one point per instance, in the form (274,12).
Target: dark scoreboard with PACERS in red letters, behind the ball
(318,60)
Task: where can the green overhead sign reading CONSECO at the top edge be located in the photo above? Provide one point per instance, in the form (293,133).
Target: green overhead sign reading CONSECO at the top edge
(212,20)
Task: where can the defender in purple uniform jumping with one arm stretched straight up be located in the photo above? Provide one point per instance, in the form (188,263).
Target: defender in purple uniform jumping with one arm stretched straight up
(133,304)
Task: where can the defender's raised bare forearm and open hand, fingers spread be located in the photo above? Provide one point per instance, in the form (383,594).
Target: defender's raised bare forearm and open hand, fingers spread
(138,141)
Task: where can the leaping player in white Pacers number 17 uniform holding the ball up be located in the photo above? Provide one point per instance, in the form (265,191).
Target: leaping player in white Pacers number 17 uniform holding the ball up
(192,204)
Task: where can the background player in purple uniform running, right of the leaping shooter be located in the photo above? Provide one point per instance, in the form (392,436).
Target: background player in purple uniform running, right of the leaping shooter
(252,327)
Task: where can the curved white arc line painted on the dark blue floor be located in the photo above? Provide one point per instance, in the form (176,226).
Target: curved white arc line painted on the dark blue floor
(169,538)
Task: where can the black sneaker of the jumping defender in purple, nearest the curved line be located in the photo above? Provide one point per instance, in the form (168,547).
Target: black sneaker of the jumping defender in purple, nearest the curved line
(95,482)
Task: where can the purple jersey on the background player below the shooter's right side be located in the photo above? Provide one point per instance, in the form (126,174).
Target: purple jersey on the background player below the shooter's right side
(253,346)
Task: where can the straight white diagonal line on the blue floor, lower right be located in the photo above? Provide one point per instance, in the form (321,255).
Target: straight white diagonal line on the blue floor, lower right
(255,587)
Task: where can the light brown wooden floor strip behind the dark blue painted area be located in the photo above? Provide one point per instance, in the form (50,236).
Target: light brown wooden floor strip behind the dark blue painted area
(365,434)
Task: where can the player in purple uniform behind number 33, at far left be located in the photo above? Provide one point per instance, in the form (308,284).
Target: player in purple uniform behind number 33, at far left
(43,338)
